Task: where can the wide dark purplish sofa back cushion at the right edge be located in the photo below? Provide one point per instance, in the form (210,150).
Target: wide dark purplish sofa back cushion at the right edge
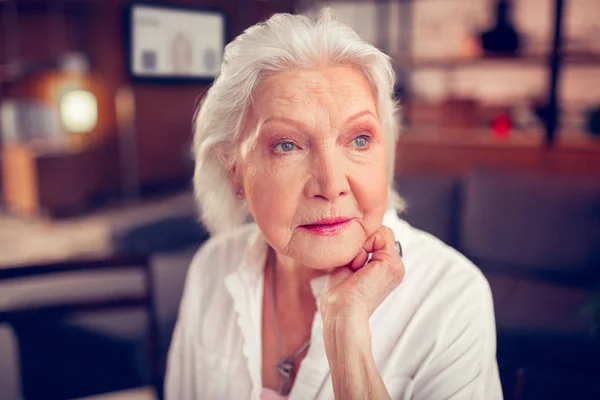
(534,222)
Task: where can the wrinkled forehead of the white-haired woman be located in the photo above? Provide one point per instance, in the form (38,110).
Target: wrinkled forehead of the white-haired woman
(339,91)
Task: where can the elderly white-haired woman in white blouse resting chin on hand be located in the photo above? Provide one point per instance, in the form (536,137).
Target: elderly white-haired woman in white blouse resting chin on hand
(315,299)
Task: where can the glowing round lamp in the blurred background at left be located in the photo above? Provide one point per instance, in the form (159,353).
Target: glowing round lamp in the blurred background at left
(79,111)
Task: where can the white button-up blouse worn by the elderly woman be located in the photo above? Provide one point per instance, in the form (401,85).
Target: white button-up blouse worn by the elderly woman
(432,338)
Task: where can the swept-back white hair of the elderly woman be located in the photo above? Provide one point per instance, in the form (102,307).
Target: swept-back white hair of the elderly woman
(283,41)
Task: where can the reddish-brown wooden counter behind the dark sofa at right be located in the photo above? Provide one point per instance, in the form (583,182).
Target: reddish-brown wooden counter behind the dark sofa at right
(454,152)
